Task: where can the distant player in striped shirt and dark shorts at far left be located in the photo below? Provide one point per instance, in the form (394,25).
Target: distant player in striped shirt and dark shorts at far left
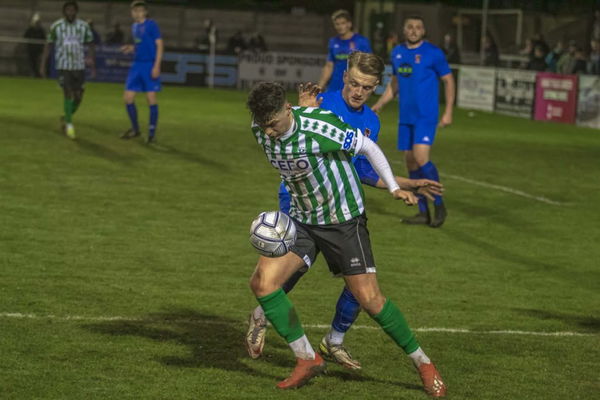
(69,36)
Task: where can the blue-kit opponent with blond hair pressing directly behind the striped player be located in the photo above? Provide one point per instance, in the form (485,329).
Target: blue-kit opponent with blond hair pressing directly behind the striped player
(360,80)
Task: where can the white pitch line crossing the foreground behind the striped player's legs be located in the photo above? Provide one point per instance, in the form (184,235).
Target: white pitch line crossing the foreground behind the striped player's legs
(312,326)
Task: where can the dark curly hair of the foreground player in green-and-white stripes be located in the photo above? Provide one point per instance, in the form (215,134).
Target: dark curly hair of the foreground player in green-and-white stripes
(265,100)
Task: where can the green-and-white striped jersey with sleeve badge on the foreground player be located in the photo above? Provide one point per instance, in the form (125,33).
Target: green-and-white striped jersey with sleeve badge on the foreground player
(315,163)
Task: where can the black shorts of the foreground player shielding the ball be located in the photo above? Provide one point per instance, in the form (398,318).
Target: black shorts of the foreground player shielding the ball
(346,246)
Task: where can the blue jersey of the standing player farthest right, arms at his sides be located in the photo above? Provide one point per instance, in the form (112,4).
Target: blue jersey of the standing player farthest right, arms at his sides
(418,72)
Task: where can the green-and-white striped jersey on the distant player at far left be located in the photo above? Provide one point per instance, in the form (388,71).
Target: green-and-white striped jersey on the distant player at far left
(68,39)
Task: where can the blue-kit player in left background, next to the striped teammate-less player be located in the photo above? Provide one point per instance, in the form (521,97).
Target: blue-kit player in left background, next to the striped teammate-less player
(144,74)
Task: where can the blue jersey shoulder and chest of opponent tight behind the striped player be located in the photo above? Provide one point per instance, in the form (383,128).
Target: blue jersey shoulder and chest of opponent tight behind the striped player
(363,118)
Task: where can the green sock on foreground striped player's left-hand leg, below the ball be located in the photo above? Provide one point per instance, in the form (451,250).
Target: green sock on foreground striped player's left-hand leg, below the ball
(282,315)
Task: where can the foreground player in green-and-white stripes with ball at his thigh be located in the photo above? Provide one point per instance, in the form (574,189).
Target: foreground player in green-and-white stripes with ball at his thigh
(312,149)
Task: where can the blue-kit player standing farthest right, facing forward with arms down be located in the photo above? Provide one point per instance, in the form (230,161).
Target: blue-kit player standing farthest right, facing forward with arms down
(417,68)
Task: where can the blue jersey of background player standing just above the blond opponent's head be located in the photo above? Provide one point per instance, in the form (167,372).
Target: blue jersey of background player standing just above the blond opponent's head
(338,51)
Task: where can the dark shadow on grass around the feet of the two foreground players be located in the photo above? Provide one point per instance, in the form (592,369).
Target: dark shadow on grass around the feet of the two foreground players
(216,342)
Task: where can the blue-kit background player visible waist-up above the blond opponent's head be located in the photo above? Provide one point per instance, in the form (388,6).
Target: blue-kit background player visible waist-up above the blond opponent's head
(339,48)
